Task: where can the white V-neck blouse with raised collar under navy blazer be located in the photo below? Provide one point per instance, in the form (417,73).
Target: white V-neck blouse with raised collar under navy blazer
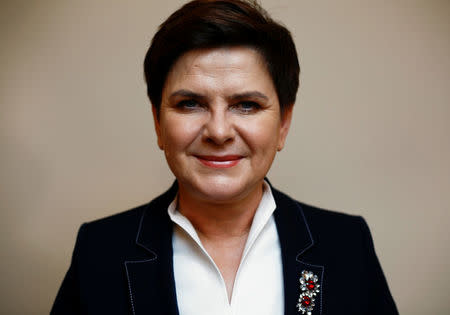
(258,286)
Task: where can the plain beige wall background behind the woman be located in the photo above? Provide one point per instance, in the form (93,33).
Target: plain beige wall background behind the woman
(370,134)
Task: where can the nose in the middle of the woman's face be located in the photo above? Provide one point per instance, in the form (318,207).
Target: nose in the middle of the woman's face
(219,127)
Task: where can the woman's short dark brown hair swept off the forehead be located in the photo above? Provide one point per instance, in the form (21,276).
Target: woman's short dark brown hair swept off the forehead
(218,23)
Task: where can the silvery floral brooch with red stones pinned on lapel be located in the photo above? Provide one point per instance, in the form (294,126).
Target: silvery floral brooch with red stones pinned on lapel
(310,288)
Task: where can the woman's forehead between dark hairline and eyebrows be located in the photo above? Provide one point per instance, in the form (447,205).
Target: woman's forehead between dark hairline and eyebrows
(227,68)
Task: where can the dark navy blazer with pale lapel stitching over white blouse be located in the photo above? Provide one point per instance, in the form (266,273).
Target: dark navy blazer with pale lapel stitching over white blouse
(123,264)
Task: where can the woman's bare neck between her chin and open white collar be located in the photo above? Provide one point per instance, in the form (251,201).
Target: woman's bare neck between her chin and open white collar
(215,221)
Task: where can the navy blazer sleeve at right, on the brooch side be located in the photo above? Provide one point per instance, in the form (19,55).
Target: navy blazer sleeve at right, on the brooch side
(380,298)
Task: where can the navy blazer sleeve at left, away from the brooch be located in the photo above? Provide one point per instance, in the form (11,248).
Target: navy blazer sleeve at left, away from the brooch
(67,301)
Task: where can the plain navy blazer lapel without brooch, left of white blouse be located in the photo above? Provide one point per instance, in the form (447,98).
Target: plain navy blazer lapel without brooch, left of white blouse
(151,282)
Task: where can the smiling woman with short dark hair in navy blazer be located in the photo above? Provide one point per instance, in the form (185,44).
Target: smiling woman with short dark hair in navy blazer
(222,79)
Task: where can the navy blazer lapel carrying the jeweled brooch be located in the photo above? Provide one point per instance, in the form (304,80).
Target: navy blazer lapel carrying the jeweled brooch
(295,239)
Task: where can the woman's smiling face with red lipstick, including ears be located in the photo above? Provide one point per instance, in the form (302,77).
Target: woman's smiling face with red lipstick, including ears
(219,123)
